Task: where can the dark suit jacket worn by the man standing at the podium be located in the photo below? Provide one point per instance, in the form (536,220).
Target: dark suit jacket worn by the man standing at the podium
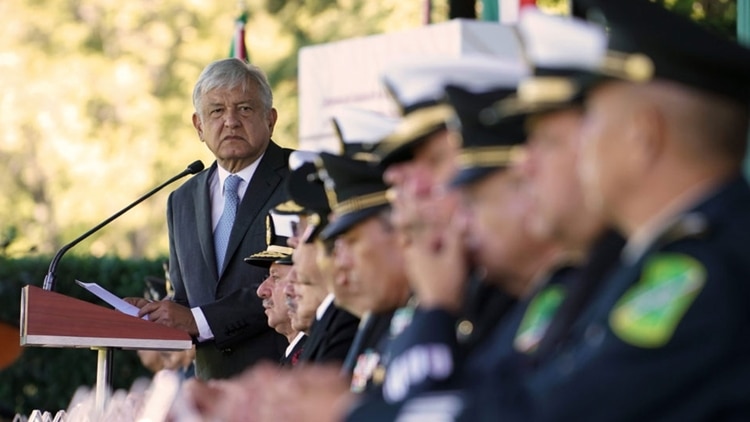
(234,312)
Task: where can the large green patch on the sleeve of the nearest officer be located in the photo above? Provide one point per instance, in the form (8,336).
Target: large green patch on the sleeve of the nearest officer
(649,312)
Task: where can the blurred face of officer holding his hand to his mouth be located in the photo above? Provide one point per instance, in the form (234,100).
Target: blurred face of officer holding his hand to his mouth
(418,183)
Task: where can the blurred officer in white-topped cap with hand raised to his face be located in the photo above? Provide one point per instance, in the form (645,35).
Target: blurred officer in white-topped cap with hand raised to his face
(422,155)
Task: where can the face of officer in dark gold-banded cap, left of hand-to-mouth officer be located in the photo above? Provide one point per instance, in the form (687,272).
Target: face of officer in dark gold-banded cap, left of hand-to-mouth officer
(369,258)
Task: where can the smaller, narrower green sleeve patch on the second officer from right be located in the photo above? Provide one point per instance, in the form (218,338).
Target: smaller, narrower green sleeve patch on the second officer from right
(537,318)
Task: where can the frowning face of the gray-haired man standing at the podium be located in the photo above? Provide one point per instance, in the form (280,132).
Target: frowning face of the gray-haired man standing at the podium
(234,125)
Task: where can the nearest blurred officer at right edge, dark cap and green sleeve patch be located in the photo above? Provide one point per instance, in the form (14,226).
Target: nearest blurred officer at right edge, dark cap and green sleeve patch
(667,336)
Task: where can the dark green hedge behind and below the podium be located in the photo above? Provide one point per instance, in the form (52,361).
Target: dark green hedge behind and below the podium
(47,378)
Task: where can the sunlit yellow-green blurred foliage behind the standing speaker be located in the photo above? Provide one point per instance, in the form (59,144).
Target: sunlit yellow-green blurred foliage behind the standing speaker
(95,103)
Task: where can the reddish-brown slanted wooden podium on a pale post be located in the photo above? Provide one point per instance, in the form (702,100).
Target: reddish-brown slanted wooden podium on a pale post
(50,319)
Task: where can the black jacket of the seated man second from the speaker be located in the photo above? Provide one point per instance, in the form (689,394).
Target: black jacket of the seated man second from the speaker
(330,337)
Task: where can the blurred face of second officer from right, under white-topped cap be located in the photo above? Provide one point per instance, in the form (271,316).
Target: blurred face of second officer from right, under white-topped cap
(550,166)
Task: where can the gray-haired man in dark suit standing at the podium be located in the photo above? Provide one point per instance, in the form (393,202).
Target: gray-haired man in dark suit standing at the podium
(215,298)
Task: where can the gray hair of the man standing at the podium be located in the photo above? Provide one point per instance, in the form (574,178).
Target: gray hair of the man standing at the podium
(232,73)
